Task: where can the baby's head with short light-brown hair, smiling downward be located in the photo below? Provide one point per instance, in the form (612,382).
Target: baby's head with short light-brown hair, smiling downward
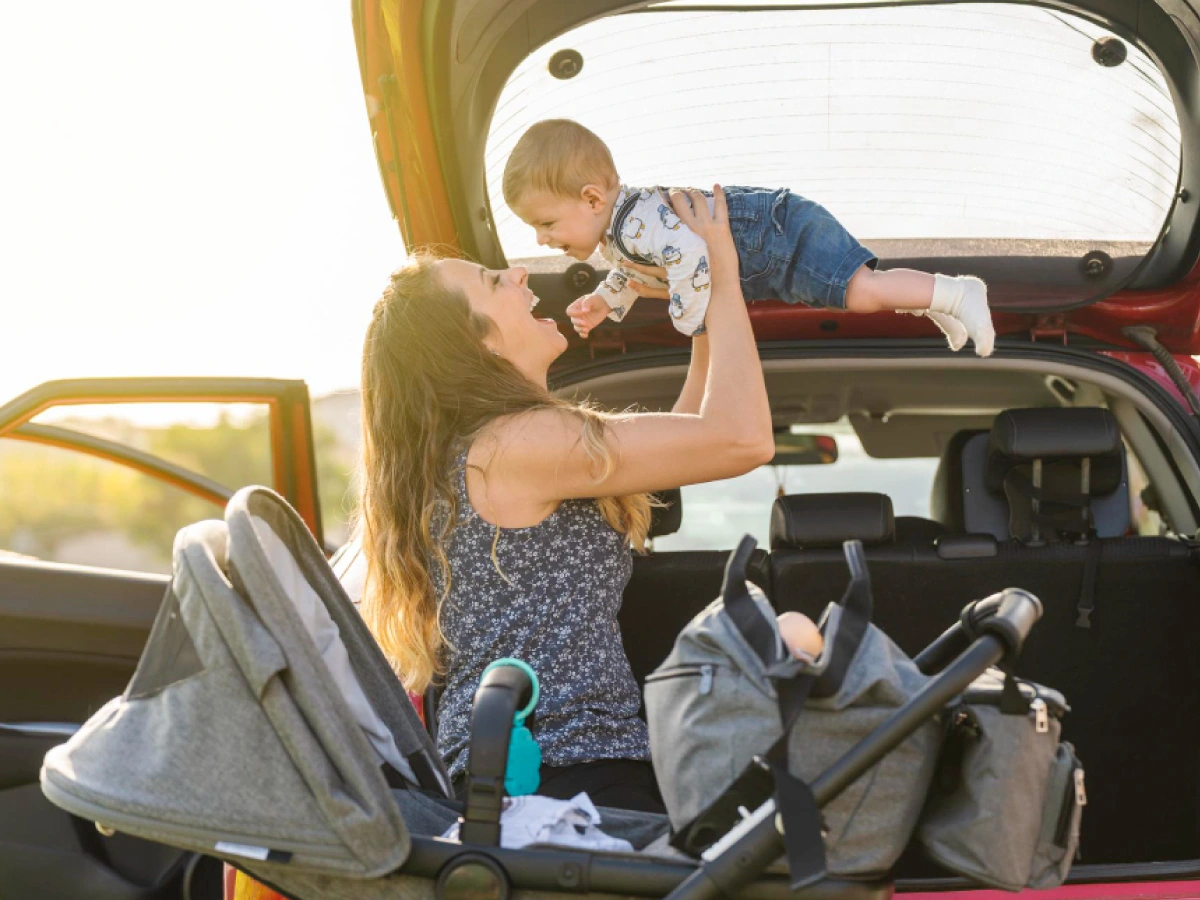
(561,181)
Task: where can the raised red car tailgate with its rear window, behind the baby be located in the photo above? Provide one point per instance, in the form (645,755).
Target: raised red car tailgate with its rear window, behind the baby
(1045,151)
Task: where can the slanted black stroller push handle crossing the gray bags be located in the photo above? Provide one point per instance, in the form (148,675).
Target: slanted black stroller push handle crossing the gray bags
(1000,628)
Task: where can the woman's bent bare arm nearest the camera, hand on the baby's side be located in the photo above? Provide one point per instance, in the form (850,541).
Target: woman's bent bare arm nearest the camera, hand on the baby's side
(541,459)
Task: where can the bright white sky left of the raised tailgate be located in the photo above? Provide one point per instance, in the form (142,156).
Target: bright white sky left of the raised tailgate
(187,190)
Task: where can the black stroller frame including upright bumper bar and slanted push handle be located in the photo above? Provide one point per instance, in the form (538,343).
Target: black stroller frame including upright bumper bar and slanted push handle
(988,632)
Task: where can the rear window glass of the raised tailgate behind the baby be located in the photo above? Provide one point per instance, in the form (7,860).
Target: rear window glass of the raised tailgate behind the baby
(982,131)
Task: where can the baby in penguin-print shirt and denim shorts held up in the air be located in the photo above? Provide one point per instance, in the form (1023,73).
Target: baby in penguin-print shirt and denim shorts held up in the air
(562,182)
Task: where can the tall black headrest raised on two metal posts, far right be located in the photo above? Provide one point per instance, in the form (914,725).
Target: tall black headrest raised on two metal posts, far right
(1054,436)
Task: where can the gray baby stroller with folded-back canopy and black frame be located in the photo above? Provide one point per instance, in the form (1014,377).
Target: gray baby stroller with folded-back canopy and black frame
(265,728)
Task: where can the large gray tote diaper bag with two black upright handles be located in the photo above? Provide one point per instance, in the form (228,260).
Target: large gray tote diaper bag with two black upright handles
(722,704)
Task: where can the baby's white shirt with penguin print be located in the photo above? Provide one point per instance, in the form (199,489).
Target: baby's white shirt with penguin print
(646,226)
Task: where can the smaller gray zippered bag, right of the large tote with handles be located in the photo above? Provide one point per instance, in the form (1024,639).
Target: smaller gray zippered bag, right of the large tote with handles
(1009,796)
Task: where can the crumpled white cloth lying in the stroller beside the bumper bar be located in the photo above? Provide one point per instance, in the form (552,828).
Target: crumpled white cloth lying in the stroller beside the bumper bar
(543,820)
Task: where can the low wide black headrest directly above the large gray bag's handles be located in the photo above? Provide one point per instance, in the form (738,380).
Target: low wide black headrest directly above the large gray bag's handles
(829,520)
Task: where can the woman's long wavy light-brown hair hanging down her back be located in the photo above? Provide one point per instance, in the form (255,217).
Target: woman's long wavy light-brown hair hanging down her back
(430,387)
